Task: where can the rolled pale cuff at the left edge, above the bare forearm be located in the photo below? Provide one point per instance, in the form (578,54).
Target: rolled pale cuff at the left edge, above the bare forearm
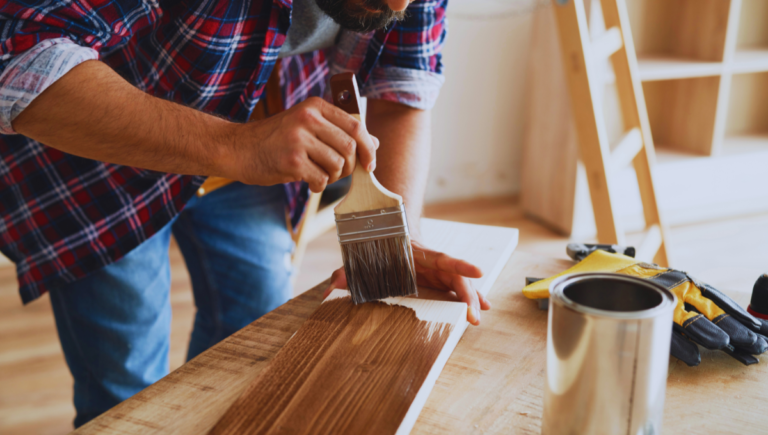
(31,72)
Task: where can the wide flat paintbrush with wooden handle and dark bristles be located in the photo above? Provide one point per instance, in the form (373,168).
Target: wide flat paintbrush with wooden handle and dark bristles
(371,224)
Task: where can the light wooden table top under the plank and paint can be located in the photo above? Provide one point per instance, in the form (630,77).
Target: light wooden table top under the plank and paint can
(492,384)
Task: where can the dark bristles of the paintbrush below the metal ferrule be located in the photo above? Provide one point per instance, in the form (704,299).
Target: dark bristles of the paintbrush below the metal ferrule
(379,269)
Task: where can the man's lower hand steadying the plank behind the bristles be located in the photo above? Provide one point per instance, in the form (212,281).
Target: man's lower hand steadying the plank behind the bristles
(441,272)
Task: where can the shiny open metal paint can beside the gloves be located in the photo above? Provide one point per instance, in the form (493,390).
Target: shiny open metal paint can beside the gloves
(608,341)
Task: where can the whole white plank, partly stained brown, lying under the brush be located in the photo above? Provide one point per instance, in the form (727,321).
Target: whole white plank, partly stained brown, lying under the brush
(363,368)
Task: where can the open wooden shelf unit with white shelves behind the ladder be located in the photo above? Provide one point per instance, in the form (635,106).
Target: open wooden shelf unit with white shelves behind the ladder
(704,68)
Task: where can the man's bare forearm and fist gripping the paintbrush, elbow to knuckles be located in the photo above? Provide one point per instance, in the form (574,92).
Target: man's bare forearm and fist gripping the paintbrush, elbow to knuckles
(92,112)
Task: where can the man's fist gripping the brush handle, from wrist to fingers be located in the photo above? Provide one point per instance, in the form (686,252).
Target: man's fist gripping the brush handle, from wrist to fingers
(313,141)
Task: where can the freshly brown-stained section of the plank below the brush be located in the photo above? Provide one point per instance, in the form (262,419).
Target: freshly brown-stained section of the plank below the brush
(349,369)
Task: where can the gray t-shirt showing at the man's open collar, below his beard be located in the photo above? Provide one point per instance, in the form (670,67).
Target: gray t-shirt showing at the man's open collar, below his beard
(311,29)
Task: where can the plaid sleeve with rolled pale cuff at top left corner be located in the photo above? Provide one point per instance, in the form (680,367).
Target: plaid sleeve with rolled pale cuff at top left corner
(42,41)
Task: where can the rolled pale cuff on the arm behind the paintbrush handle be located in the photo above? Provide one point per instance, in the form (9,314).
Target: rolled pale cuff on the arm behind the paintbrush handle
(415,88)
